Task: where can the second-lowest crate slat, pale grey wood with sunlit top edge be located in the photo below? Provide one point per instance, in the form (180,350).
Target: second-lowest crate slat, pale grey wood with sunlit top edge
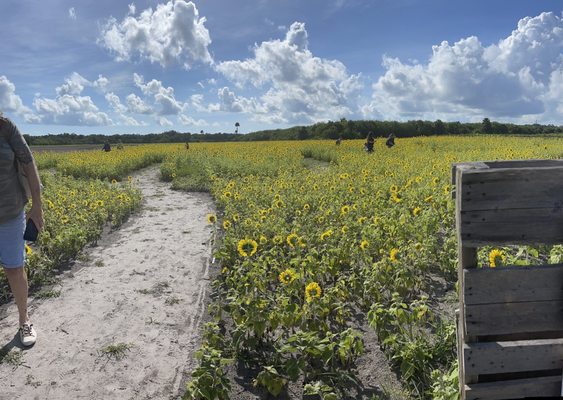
(517,356)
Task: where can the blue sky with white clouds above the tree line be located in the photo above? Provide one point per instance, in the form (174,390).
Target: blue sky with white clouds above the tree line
(114,67)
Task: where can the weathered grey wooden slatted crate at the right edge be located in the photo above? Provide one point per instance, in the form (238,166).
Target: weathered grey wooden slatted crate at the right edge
(510,320)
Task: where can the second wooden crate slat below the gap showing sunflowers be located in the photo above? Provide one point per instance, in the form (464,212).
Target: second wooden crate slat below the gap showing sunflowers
(509,318)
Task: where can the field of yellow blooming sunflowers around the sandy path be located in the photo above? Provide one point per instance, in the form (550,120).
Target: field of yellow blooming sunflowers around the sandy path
(315,244)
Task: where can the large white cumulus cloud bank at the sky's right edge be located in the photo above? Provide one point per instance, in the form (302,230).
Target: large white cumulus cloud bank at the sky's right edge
(515,78)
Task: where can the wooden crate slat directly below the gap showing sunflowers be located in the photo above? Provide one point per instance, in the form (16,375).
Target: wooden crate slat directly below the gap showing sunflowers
(513,284)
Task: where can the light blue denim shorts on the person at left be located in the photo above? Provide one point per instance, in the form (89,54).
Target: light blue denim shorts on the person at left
(12,245)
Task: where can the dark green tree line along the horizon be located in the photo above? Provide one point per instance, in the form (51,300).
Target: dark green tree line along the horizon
(344,129)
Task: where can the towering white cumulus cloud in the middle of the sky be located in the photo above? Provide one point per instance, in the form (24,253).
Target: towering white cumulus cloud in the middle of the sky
(299,87)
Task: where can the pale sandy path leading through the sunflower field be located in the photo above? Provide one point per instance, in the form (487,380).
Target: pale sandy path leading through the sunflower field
(143,285)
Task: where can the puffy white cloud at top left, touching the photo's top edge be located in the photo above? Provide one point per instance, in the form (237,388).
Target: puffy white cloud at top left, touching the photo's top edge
(171,34)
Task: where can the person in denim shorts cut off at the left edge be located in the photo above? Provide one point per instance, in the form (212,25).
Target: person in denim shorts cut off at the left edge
(15,154)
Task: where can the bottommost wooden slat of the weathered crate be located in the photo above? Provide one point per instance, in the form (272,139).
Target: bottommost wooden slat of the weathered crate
(517,389)
